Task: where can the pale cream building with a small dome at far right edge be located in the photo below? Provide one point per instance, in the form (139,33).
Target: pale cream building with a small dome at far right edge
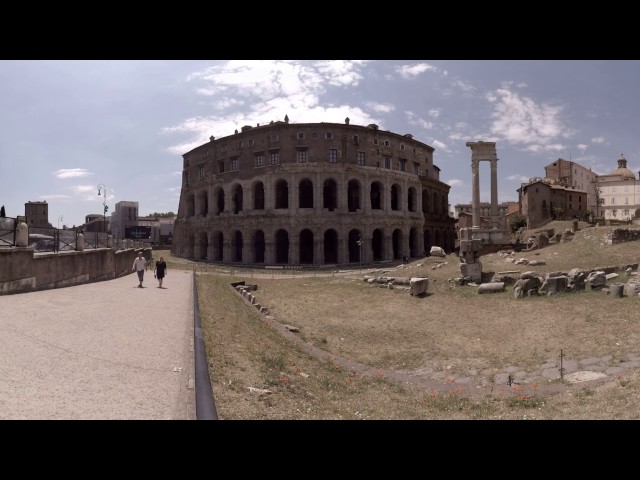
(620,193)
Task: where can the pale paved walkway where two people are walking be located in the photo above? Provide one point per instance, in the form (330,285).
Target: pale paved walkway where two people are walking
(105,350)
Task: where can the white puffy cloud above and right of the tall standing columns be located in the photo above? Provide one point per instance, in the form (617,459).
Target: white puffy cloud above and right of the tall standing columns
(520,120)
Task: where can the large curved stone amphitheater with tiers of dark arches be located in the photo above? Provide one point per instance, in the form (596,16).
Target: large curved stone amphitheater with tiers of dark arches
(296,194)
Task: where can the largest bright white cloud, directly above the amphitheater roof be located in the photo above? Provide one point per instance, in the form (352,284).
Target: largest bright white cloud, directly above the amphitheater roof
(262,91)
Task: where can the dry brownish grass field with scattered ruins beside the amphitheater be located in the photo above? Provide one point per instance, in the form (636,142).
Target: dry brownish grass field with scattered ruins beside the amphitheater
(259,371)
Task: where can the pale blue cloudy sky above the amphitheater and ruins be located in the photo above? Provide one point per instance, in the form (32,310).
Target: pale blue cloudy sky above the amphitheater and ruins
(68,126)
